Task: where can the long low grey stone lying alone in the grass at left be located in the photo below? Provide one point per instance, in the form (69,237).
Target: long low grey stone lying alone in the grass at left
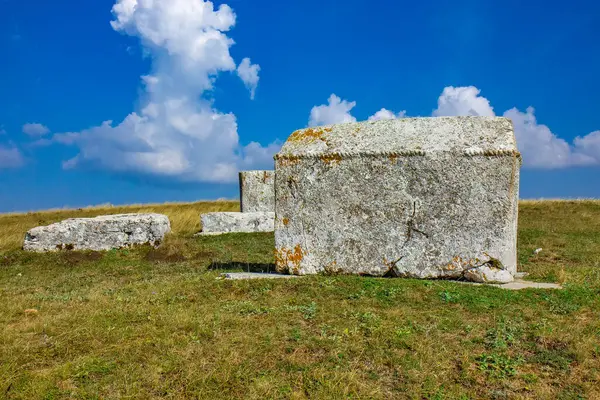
(100,233)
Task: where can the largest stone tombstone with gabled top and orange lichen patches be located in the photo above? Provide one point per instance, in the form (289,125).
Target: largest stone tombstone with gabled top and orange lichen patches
(413,197)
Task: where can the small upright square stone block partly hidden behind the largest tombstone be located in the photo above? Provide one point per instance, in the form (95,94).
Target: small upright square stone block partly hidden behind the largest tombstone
(257,191)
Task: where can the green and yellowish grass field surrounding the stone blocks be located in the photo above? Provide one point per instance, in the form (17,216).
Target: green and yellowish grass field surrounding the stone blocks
(159,323)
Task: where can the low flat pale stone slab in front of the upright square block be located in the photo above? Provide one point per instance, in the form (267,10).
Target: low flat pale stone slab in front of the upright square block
(216,223)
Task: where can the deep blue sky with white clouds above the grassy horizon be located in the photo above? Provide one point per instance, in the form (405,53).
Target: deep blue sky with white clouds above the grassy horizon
(64,70)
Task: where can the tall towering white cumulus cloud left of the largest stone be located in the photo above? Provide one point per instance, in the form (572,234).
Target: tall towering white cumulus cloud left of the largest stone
(177,133)
